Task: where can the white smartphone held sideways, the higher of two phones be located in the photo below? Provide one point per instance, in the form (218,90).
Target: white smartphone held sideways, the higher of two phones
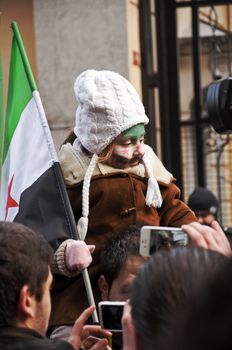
(154,238)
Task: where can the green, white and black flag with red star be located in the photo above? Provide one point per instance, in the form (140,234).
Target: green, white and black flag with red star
(32,187)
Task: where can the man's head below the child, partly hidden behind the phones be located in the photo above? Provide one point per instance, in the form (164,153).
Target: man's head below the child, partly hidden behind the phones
(120,263)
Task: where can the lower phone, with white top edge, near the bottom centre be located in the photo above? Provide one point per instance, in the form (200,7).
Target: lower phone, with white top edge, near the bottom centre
(110,315)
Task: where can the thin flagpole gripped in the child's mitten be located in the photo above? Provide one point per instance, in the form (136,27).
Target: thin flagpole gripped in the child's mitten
(57,169)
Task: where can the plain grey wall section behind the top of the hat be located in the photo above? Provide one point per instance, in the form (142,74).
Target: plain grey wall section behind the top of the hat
(72,36)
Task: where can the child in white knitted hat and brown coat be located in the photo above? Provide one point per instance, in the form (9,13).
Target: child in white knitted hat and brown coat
(113,180)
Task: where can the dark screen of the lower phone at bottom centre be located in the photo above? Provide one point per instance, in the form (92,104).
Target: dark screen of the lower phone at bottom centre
(111,316)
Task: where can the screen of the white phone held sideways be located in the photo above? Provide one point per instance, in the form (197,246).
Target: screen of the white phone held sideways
(165,239)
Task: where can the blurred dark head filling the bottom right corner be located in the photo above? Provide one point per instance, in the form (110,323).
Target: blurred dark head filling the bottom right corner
(206,321)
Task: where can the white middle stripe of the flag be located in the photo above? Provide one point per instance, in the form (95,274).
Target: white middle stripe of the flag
(27,158)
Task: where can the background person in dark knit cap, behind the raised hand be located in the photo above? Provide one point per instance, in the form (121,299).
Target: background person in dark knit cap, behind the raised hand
(204,204)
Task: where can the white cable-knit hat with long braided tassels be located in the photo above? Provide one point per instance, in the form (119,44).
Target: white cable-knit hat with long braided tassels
(107,105)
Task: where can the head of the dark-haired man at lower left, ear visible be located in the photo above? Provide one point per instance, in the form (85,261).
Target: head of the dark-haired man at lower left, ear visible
(25,278)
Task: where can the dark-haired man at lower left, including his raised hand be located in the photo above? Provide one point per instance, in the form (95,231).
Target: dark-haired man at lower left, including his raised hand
(25,305)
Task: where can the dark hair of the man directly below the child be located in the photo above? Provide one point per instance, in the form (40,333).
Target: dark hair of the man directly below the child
(117,251)
